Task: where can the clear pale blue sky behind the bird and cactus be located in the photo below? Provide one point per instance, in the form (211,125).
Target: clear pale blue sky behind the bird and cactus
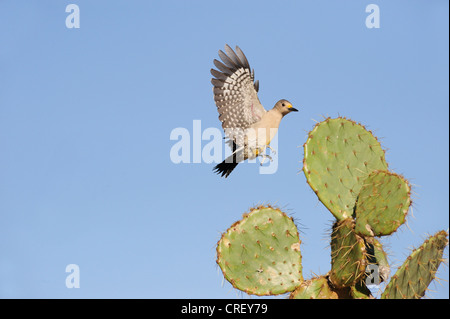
(86,115)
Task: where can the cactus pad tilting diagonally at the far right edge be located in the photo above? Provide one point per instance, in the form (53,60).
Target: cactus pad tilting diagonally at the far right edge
(413,277)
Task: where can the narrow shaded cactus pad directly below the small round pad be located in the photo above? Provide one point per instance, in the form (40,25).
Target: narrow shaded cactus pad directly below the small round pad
(377,256)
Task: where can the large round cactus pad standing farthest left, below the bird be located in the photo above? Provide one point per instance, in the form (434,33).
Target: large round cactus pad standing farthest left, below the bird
(260,254)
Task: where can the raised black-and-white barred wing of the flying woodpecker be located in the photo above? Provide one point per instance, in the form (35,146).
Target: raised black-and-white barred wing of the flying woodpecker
(235,94)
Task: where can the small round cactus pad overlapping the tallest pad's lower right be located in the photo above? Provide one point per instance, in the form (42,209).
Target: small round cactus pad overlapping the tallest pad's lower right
(382,204)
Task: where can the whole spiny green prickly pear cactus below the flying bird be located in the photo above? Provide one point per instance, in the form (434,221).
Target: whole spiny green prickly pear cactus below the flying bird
(345,166)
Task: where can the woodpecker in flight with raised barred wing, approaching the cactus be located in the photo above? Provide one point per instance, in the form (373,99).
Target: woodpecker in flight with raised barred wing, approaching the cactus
(248,126)
